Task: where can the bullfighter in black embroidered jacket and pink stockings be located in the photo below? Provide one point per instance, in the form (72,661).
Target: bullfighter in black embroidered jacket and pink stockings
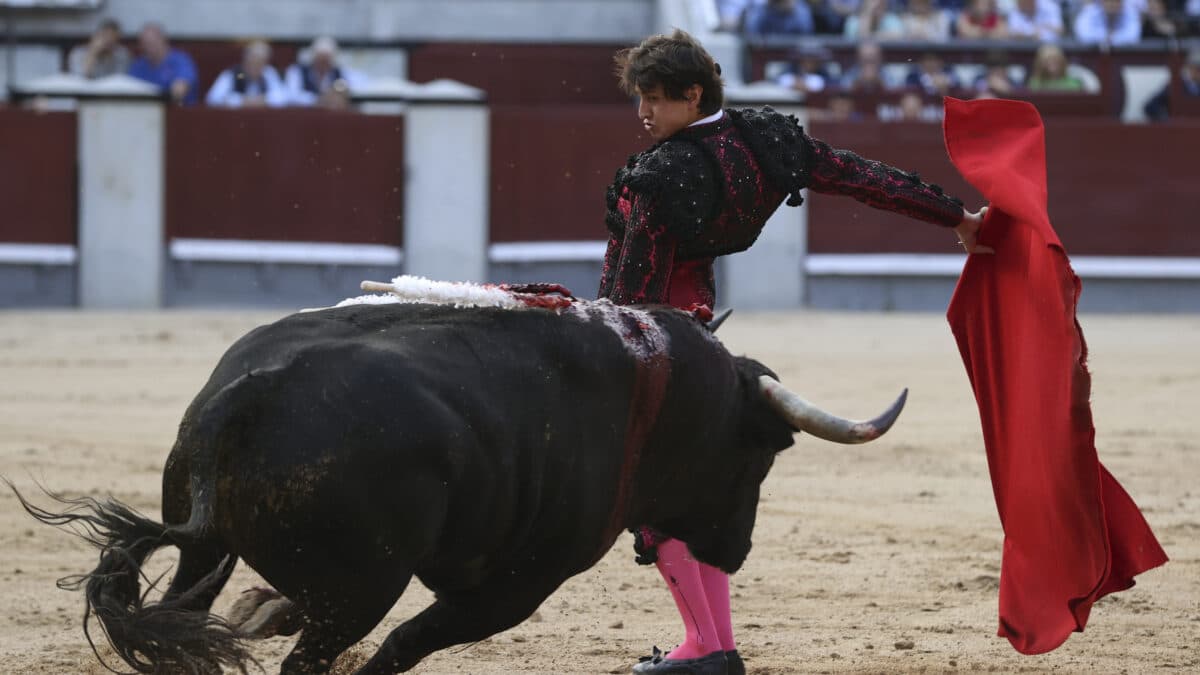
(704,190)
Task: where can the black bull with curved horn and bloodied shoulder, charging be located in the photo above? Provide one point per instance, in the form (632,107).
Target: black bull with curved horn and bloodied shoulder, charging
(493,453)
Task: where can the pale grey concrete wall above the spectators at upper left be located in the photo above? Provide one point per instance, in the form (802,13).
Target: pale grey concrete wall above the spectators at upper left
(369,20)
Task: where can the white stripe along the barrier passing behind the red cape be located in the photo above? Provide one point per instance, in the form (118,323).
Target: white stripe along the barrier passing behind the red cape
(940,265)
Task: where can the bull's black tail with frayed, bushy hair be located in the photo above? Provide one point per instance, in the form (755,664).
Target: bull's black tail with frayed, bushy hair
(164,637)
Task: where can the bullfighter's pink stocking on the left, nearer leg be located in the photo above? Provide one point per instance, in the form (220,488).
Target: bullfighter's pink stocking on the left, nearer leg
(683,577)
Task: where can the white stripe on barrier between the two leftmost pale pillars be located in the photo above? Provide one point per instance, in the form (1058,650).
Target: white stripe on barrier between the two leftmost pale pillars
(286,253)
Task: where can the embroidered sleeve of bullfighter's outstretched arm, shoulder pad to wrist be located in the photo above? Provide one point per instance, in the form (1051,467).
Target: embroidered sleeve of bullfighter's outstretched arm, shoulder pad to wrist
(883,187)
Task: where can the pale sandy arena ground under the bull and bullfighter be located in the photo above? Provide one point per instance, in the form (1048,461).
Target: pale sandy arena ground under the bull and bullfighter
(859,549)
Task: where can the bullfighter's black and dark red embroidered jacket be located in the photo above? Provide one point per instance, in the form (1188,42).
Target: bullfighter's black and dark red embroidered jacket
(709,190)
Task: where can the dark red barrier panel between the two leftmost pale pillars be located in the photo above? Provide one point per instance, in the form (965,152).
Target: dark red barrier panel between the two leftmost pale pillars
(290,176)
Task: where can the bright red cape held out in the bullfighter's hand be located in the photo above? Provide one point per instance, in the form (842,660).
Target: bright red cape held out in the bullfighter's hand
(1072,535)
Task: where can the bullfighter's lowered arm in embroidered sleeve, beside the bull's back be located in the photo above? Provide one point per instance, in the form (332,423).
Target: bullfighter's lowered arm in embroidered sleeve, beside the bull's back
(643,272)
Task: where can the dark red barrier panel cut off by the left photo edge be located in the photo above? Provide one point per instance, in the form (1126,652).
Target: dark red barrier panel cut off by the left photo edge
(39,188)
